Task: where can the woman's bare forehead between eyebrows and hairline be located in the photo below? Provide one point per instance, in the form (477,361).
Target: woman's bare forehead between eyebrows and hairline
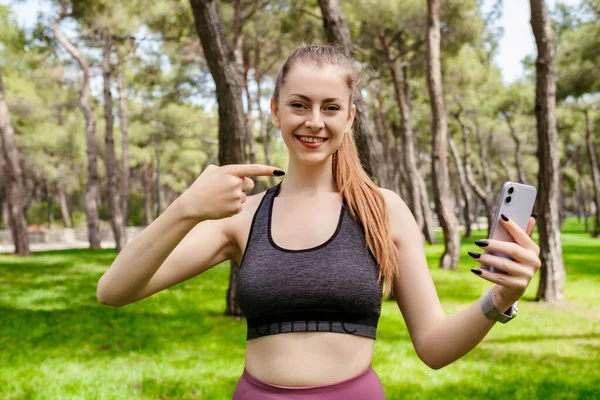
(316,81)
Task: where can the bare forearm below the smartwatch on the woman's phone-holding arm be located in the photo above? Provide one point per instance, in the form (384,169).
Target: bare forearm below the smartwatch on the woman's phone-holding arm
(455,335)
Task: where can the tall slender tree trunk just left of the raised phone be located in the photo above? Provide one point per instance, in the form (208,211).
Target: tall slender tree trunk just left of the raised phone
(439,173)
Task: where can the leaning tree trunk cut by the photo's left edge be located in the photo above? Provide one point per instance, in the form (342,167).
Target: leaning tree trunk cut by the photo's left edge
(13,180)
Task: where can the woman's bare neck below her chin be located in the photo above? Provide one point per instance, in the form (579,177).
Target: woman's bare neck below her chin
(303,179)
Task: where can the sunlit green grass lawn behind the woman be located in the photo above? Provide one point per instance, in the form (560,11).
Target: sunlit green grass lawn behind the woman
(57,342)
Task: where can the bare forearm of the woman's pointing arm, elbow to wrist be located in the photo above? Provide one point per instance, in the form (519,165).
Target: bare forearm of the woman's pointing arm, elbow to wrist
(139,260)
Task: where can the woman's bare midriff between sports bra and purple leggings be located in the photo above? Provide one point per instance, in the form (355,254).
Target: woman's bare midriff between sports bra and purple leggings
(308,358)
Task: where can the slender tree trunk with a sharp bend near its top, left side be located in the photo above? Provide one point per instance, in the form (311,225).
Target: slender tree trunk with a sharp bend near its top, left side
(92,186)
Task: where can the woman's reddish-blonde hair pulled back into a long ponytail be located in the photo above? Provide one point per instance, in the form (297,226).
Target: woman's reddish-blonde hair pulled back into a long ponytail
(362,196)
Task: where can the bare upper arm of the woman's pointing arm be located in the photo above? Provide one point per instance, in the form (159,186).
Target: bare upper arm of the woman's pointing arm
(205,246)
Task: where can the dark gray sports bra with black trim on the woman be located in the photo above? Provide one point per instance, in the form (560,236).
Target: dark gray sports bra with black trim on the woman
(332,287)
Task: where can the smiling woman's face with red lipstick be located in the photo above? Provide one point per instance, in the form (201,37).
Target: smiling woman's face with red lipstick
(313,111)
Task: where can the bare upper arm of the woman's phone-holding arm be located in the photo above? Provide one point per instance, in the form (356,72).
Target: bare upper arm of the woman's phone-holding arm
(414,289)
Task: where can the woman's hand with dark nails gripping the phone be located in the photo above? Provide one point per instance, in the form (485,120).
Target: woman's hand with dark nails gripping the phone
(519,271)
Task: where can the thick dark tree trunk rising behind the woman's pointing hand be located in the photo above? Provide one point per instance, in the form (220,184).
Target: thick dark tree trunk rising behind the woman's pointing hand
(232,122)
